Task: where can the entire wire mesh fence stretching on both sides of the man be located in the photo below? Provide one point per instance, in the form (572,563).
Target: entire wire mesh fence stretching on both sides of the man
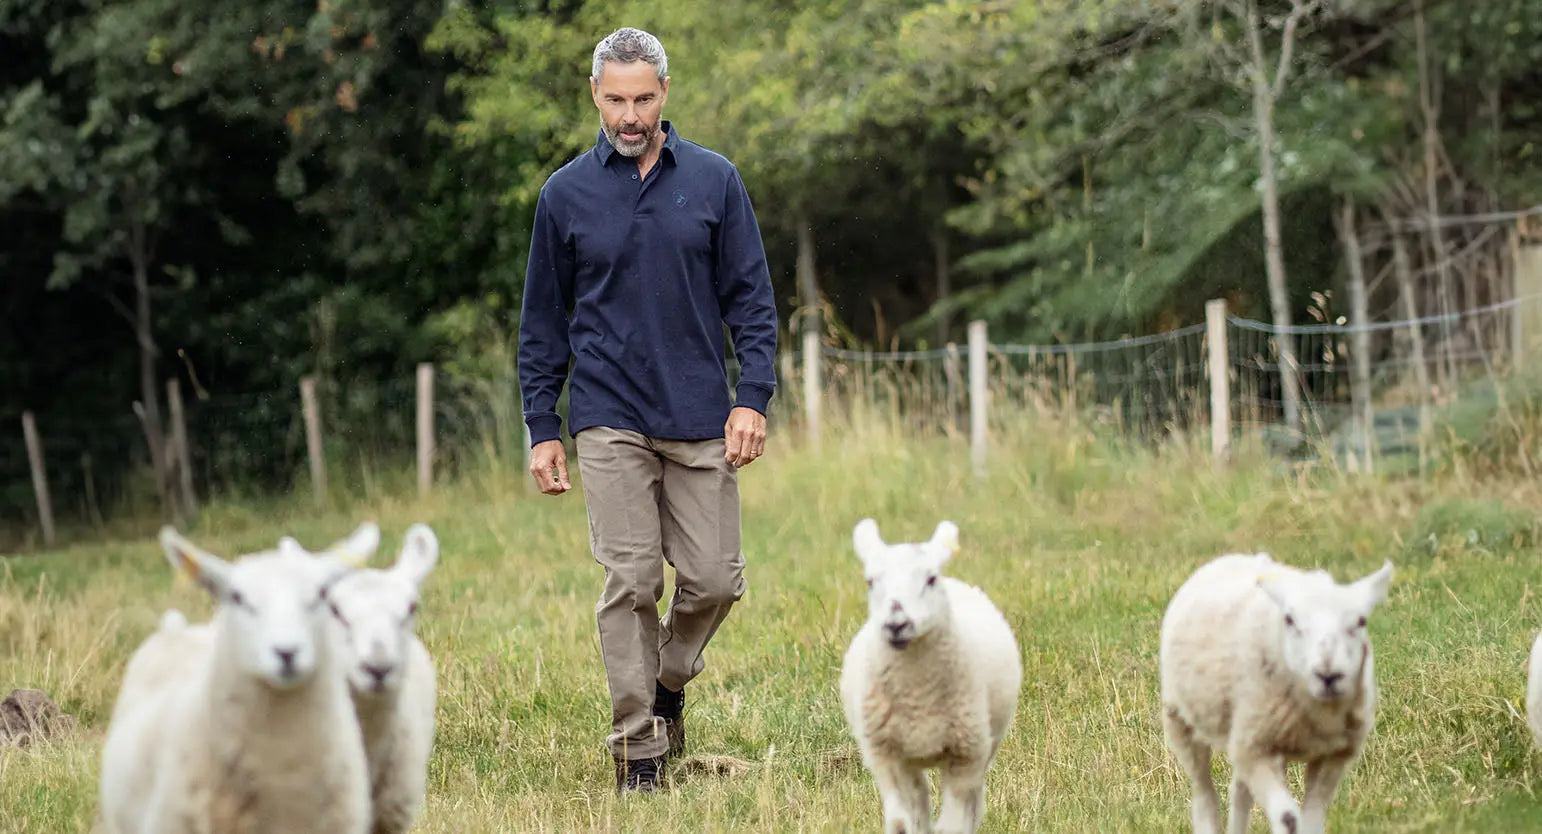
(1145,388)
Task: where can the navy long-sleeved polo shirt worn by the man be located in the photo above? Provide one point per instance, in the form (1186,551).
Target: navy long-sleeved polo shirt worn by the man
(633,280)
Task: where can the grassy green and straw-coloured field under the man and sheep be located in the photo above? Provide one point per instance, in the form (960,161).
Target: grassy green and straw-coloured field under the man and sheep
(1082,545)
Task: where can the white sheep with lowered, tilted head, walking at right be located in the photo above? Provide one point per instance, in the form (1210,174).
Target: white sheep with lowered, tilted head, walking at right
(1271,665)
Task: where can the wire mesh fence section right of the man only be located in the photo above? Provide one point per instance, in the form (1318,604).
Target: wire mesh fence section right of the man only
(1156,386)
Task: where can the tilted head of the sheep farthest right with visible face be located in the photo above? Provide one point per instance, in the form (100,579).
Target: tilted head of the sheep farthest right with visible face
(1322,627)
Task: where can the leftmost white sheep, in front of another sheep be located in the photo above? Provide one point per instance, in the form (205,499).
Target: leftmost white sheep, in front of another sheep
(246,725)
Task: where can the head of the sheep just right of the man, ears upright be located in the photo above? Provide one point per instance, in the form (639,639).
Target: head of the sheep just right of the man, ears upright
(906,597)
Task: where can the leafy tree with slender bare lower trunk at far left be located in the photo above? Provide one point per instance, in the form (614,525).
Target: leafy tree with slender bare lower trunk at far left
(109,141)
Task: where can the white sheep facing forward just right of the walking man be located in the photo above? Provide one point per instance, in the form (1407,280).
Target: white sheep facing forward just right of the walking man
(929,682)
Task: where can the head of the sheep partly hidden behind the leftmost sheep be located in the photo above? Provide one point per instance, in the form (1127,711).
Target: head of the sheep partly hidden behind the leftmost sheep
(379,611)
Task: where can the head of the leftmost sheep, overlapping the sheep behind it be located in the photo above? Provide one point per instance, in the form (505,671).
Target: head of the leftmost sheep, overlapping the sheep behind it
(272,605)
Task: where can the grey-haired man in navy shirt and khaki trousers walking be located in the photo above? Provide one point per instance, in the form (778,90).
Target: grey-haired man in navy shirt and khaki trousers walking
(644,249)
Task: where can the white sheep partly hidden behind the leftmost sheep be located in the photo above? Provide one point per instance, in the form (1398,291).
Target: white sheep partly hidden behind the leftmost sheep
(392,678)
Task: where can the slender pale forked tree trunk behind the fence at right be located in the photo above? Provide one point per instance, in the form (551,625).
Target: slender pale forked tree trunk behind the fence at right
(1274,258)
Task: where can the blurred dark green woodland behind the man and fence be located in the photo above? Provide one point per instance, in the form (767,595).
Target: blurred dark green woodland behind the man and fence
(240,193)
